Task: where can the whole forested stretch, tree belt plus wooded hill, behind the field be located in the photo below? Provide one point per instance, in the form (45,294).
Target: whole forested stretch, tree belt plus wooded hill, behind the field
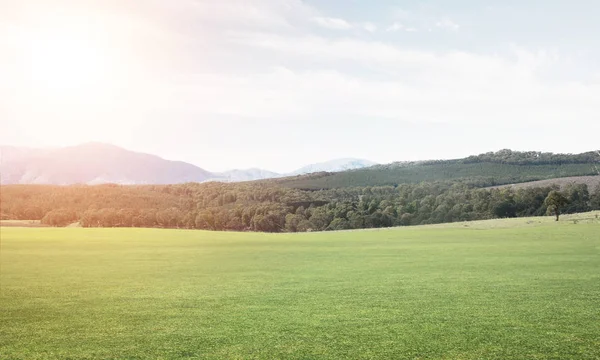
(397,194)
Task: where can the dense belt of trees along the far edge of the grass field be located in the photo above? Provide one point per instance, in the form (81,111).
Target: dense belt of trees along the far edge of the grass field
(258,206)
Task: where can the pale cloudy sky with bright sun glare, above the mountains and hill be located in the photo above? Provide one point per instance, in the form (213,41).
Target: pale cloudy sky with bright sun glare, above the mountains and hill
(279,84)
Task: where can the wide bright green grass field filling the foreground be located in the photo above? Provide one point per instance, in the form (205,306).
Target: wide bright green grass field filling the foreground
(504,289)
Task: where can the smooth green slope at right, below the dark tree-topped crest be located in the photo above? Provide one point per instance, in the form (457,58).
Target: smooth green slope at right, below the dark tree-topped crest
(450,170)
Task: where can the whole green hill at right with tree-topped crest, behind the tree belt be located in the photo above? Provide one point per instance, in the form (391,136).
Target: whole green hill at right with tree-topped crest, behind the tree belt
(502,167)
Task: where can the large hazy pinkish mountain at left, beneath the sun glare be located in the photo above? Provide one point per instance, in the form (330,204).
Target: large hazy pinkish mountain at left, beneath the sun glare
(95,163)
